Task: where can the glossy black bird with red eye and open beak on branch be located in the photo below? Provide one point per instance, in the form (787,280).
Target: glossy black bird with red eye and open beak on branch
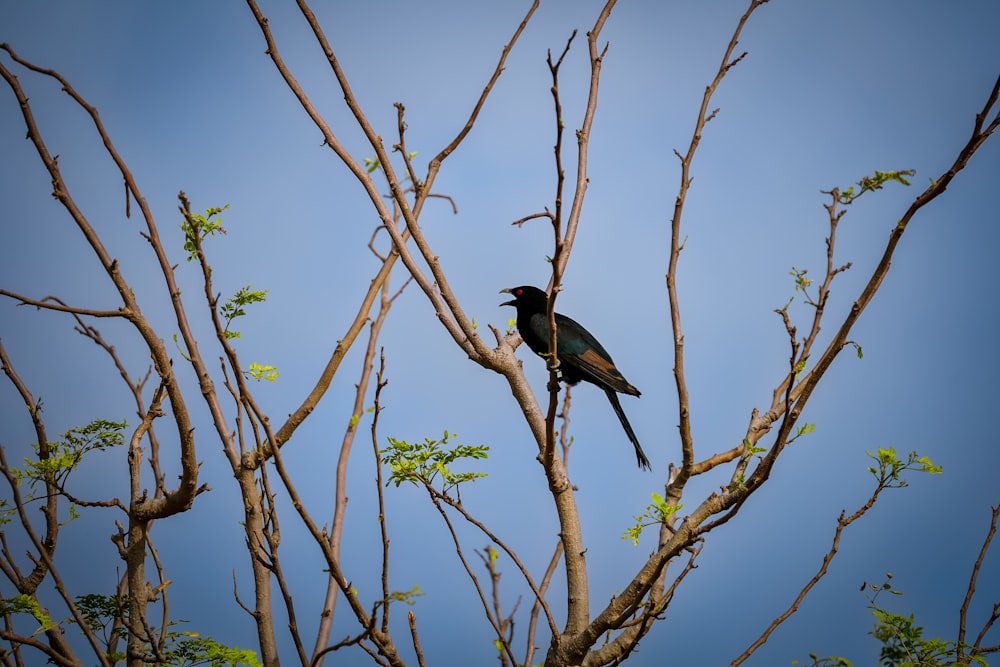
(581,357)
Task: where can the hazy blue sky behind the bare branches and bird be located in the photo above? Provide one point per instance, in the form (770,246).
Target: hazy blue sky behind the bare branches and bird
(828,93)
